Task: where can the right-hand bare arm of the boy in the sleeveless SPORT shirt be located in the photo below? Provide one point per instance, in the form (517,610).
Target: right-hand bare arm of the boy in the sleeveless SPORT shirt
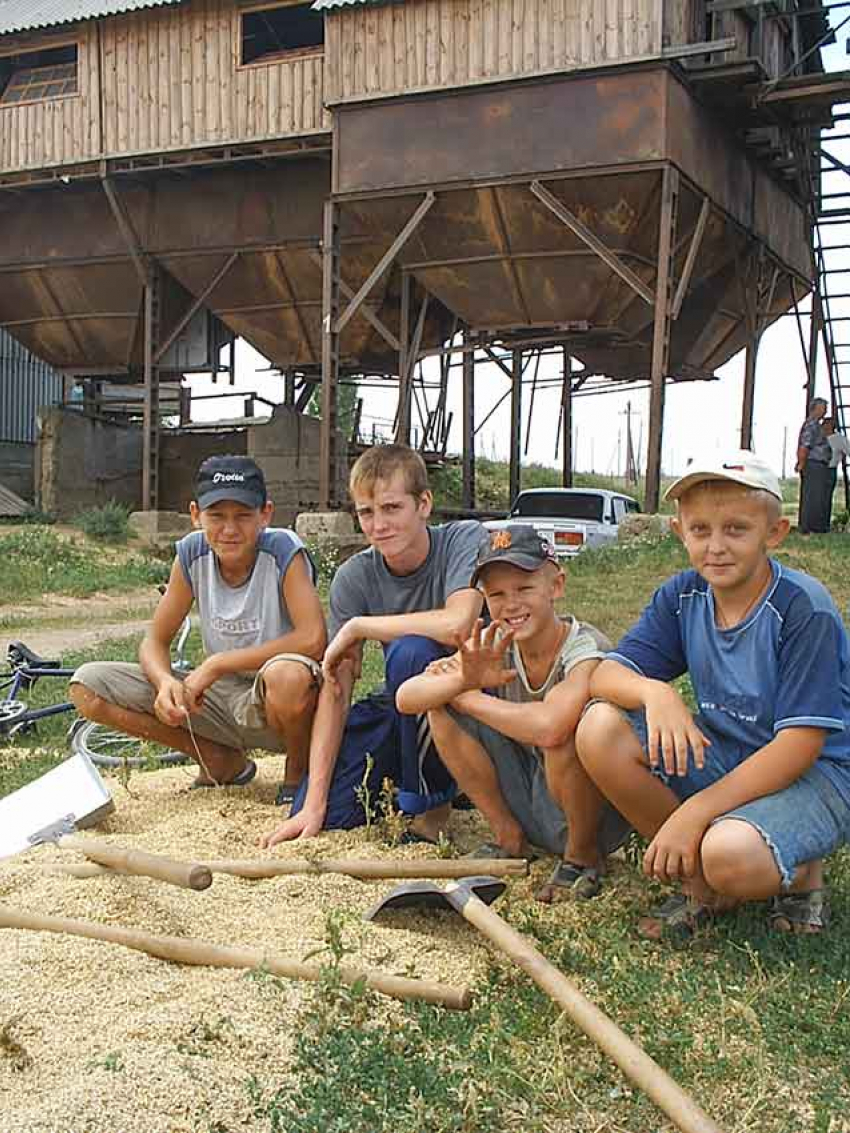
(308,637)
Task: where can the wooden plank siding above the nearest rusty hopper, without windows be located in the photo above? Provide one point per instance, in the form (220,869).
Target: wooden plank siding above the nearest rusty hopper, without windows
(429,45)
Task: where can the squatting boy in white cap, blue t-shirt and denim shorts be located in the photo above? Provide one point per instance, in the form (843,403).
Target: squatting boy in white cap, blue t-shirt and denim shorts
(743,799)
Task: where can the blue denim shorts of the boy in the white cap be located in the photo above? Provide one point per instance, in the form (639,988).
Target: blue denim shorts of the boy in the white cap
(807,821)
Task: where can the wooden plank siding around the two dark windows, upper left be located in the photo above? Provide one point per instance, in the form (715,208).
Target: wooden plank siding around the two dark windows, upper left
(171,81)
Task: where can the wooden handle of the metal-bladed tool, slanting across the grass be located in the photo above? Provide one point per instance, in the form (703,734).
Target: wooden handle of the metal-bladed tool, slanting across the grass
(633,1061)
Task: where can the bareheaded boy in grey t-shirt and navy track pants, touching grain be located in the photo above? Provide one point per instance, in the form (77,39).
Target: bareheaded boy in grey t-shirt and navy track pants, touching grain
(412,592)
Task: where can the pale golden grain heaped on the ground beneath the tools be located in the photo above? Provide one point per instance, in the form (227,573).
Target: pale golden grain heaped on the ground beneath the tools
(98,1040)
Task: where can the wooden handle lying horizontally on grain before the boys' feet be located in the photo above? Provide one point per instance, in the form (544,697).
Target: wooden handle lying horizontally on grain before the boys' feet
(372,870)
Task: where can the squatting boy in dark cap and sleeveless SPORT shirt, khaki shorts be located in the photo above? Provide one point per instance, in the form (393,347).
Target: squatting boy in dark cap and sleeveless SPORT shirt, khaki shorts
(263,633)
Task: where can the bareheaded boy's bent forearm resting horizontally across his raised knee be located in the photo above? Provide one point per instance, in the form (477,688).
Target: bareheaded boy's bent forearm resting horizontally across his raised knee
(456,619)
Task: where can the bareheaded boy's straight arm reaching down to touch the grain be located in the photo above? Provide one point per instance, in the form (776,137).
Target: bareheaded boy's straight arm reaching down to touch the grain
(329,723)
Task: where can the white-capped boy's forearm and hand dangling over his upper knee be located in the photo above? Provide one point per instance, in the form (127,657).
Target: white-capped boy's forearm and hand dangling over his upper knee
(671,734)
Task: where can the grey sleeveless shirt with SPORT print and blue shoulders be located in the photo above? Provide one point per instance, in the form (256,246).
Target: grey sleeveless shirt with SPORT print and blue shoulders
(248,616)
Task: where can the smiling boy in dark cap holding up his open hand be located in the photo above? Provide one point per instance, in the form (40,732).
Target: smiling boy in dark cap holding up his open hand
(513,752)
